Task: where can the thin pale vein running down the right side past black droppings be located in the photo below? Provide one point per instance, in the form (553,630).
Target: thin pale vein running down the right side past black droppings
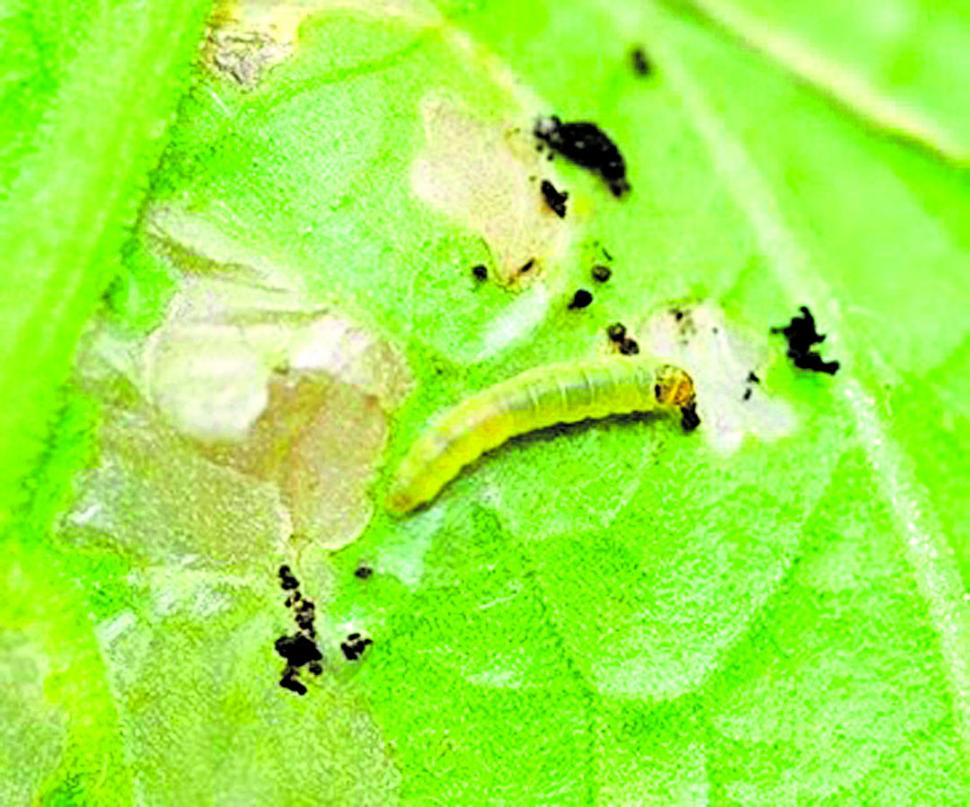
(935,574)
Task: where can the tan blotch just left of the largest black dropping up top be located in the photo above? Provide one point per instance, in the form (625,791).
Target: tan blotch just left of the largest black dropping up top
(485,176)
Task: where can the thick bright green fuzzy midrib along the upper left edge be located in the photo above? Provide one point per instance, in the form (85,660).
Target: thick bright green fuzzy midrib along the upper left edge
(65,214)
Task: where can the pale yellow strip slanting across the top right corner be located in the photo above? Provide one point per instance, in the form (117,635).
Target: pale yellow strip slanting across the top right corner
(848,87)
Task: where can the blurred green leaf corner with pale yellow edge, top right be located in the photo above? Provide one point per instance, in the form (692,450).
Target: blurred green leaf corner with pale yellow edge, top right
(893,63)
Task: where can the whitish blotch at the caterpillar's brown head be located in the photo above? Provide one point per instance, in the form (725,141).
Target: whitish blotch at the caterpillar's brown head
(719,358)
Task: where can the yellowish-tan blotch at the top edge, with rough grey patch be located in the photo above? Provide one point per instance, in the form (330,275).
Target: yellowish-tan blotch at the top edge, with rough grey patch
(248,37)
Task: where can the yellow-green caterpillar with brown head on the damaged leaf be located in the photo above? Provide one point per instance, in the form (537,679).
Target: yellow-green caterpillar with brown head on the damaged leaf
(535,399)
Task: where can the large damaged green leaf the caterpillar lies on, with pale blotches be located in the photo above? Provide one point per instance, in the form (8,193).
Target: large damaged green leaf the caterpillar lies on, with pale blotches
(771,610)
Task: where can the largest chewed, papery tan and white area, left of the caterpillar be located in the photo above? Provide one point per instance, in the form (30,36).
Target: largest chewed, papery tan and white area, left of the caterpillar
(249,415)
